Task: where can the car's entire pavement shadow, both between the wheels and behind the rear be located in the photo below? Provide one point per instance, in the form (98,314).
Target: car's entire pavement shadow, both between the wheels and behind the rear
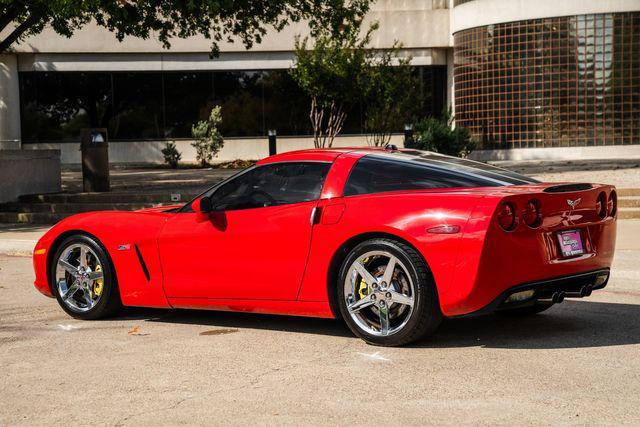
(573,324)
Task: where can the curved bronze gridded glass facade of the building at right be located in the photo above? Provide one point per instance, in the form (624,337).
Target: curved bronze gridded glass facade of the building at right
(553,82)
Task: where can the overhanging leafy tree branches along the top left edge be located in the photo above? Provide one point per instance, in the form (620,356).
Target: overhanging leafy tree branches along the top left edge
(217,20)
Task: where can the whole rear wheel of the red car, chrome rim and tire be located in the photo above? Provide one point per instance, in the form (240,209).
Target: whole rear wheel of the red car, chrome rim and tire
(386,293)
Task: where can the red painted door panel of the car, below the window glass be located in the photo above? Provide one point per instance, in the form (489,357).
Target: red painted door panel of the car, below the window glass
(245,254)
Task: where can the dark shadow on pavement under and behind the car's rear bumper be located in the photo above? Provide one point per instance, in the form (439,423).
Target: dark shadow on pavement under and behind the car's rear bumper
(572,324)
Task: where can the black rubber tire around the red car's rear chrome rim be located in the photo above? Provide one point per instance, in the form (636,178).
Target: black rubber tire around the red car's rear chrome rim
(426,315)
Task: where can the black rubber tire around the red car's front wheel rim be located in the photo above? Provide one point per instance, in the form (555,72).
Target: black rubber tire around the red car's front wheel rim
(109,302)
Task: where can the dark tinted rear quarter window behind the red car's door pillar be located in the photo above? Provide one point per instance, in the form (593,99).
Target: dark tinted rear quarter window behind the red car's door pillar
(376,175)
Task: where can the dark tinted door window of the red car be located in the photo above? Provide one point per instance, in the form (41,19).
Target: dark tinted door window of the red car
(272,185)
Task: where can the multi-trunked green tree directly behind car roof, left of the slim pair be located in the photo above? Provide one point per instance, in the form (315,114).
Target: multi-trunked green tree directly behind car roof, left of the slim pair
(331,73)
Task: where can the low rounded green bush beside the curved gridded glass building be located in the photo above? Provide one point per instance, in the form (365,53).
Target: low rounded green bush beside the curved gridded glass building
(438,135)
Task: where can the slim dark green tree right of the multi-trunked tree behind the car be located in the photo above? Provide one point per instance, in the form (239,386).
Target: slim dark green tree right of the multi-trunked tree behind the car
(391,94)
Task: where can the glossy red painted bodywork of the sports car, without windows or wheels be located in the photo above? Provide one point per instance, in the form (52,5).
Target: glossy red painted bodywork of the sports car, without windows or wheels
(277,259)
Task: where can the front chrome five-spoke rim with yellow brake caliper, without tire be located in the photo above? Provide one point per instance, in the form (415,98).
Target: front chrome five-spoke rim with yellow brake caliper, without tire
(79,277)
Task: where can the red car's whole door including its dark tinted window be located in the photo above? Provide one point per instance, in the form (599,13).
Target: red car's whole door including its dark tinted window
(255,245)
